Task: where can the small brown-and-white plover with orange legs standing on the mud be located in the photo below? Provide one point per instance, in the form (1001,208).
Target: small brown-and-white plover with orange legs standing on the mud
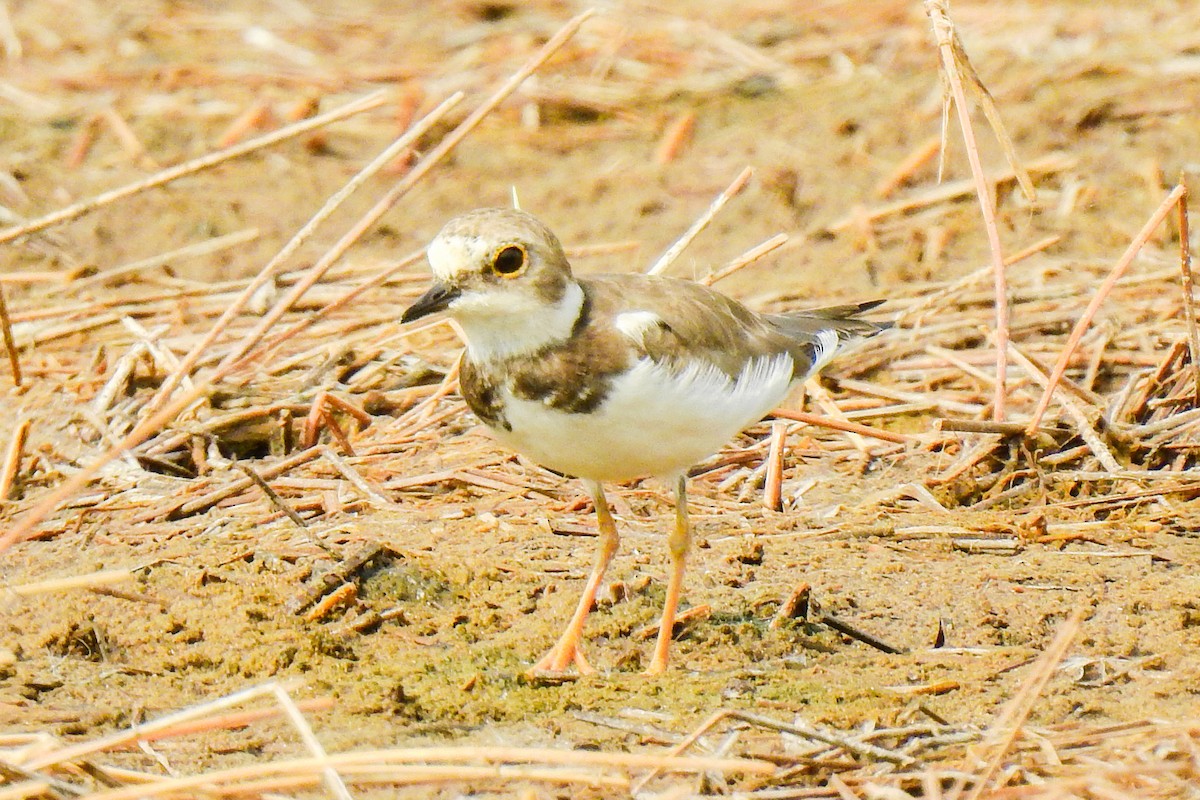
(609,378)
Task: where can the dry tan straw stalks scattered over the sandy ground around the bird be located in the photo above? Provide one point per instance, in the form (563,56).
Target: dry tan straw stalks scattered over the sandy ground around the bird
(1094,420)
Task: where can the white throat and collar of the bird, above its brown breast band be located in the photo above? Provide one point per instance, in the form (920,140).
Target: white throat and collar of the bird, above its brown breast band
(505,326)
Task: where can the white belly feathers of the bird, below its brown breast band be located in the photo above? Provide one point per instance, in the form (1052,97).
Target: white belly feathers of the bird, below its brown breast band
(655,422)
